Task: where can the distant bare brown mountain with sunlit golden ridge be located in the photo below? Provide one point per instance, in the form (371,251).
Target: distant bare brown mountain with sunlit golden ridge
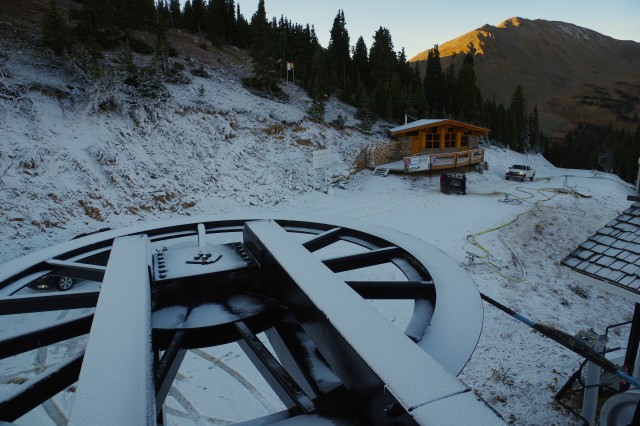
(572,73)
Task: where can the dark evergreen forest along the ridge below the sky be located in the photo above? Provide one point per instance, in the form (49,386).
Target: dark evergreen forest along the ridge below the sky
(375,78)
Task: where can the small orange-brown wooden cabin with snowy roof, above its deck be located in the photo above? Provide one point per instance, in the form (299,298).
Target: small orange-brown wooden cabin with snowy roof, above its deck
(434,136)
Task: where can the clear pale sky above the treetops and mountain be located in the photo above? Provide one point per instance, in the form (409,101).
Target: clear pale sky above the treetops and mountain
(417,25)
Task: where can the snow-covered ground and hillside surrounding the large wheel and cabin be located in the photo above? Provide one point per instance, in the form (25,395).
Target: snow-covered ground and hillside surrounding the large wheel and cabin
(65,172)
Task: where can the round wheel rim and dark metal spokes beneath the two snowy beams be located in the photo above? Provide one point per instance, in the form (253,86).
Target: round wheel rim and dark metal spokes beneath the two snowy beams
(283,318)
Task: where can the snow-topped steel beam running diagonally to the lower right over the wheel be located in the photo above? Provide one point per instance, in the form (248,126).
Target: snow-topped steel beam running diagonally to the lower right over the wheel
(356,340)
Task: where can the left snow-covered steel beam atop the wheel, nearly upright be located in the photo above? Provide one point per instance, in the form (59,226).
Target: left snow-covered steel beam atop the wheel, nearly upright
(116,380)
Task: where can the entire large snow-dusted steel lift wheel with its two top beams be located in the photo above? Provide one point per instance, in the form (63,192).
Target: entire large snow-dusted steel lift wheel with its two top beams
(164,286)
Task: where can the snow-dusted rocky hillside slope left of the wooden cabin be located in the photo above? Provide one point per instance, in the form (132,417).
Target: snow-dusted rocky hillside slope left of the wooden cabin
(213,147)
